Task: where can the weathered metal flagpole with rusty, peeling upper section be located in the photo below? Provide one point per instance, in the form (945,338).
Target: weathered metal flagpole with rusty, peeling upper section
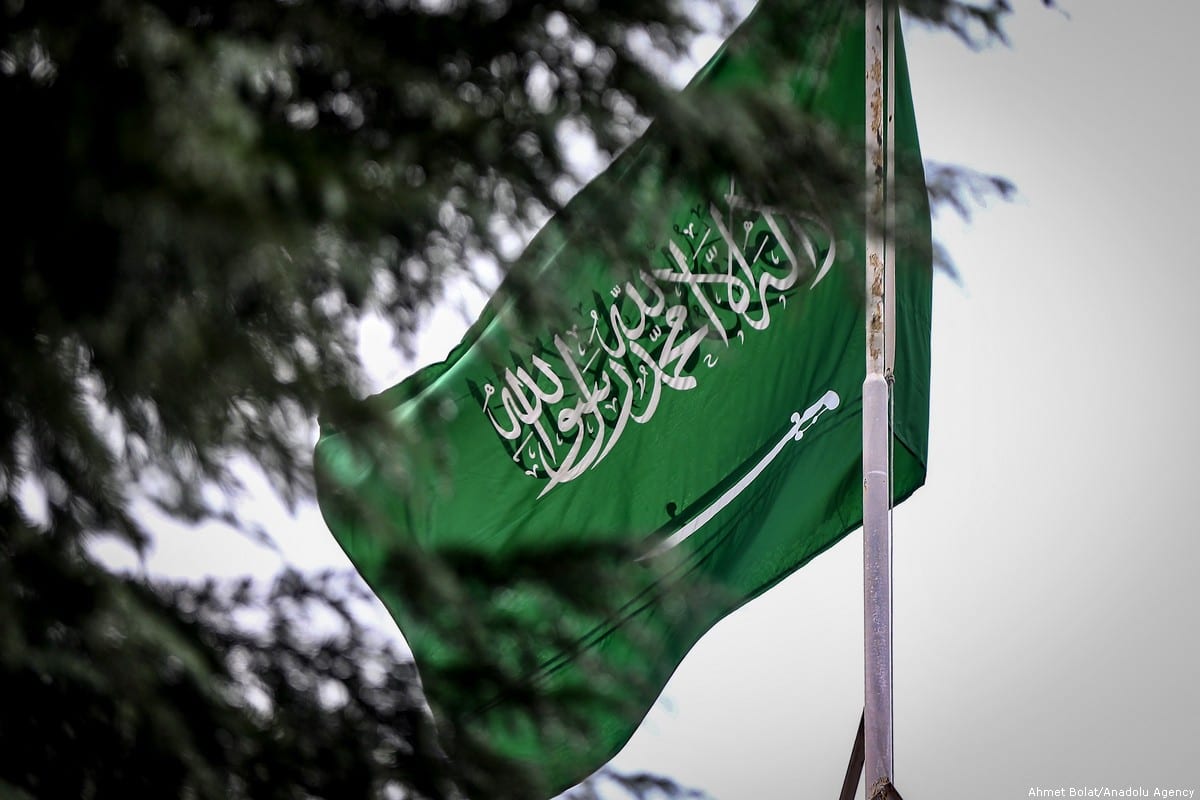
(877,430)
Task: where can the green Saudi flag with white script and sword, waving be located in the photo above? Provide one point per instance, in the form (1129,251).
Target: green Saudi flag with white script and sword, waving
(574,503)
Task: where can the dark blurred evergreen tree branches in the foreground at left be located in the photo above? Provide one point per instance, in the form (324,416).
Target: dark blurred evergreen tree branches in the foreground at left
(203,200)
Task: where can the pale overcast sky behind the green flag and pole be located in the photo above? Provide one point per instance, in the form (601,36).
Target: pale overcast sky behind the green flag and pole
(1047,616)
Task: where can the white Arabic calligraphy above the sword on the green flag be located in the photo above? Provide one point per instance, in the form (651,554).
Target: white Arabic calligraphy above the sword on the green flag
(565,418)
